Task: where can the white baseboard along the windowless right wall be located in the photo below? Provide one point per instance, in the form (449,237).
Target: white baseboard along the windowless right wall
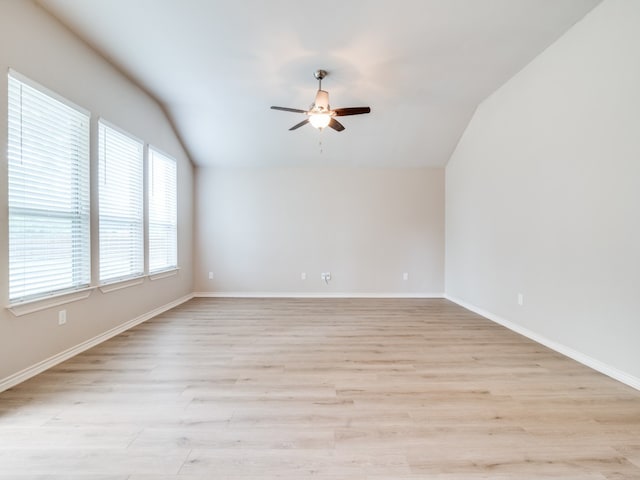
(579,357)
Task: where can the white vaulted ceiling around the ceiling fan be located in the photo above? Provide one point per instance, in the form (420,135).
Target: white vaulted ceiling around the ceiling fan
(216,66)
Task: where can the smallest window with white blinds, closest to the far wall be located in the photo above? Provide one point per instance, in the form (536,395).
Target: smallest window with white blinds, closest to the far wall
(163,225)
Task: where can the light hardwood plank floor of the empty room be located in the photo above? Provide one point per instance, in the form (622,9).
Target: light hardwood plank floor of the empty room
(319,389)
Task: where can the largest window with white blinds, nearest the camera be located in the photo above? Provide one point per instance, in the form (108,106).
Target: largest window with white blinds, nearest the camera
(48,174)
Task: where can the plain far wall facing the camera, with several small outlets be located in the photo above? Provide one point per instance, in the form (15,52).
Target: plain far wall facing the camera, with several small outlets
(259,229)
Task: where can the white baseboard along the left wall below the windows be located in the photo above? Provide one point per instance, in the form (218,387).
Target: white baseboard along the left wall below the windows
(40,367)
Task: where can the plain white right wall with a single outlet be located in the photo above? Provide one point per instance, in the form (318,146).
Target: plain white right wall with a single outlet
(543,196)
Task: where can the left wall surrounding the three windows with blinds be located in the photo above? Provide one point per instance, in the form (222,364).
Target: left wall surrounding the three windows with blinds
(38,47)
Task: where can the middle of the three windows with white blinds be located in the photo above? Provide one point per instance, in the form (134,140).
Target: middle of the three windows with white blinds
(120,183)
